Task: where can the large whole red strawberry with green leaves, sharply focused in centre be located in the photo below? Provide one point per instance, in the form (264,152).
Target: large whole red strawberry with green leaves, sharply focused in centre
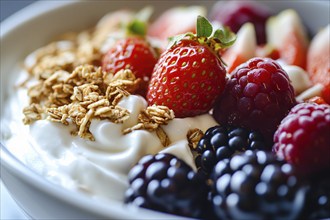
(190,75)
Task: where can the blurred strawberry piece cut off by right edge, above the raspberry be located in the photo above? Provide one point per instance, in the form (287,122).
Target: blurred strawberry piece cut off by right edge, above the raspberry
(318,61)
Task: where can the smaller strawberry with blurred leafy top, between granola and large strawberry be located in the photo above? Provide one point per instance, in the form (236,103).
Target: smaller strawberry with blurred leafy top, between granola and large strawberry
(133,51)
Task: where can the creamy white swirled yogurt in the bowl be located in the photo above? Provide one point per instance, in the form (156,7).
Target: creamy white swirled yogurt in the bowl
(98,167)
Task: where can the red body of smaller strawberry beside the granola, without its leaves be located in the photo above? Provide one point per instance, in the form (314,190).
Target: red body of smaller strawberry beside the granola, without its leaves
(133,53)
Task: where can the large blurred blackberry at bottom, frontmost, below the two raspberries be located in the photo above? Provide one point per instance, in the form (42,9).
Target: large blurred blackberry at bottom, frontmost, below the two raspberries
(256,185)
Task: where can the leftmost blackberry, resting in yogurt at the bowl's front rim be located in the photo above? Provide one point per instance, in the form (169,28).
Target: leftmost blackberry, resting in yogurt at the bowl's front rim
(165,183)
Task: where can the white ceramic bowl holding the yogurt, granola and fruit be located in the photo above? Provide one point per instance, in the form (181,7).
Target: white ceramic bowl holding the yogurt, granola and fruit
(32,28)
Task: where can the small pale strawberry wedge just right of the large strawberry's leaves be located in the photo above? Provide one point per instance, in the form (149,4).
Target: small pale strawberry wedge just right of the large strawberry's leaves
(243,49)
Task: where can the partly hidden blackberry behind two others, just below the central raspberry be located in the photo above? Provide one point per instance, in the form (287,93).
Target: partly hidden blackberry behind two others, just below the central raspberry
(221,142)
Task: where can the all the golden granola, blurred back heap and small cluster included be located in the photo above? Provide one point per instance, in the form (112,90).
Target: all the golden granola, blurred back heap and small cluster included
(72,88)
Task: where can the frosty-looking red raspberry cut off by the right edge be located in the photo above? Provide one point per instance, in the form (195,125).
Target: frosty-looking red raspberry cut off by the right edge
(303,137)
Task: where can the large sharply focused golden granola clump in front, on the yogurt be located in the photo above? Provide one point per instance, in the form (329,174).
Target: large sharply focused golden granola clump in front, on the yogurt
(80,97)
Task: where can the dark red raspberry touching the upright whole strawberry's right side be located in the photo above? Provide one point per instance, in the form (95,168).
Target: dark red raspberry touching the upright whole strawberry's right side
(257,97)
